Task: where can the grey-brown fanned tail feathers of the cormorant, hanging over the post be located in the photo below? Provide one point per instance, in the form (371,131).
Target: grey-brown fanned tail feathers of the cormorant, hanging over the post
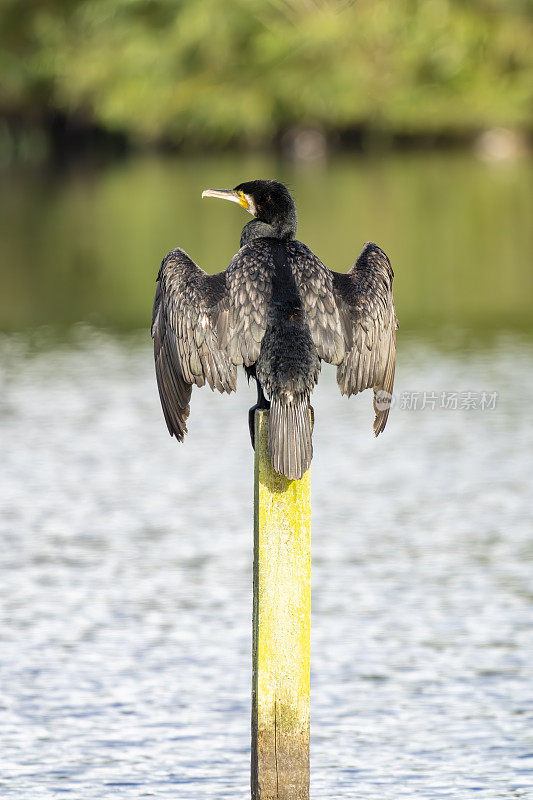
(289,436)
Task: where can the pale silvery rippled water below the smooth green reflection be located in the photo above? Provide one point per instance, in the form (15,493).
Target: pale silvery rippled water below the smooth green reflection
(126,583)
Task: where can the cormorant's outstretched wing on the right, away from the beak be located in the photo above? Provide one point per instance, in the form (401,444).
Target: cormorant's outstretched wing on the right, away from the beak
(365,301)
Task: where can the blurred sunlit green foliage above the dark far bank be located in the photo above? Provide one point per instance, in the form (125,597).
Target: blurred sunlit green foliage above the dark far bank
(221,71)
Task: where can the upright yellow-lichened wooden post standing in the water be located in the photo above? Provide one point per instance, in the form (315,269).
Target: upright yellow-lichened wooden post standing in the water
(281,629)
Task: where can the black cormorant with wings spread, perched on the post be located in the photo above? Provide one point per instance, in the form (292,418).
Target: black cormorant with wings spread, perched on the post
(278,311)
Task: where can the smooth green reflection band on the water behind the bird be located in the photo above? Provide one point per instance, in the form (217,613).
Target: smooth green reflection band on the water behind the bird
(86,245)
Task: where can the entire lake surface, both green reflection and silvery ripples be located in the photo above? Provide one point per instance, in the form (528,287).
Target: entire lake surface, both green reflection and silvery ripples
(126,569)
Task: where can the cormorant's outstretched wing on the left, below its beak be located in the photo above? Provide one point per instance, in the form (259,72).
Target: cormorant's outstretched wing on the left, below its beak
(189,308)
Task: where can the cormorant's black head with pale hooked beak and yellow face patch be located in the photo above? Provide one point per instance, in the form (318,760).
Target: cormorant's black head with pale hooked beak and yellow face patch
(268,201)
